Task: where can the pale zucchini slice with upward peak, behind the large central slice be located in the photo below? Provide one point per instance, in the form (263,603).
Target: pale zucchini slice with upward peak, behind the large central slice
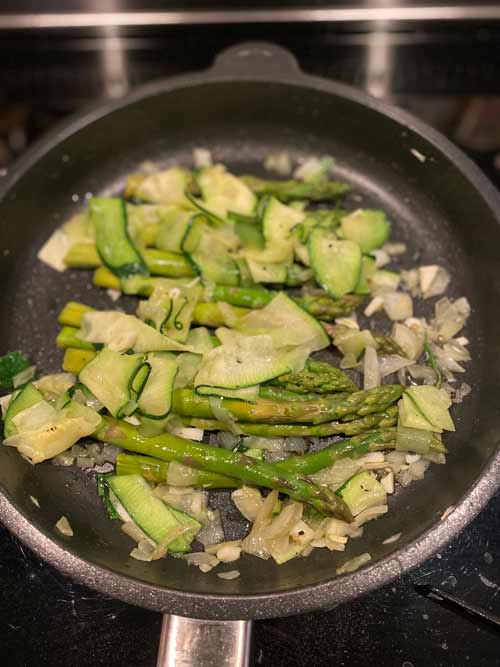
(287,323)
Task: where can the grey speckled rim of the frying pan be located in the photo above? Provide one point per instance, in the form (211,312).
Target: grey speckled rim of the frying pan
(331,592)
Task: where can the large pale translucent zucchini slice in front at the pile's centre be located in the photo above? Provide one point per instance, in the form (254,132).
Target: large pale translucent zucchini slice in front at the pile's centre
(246,361)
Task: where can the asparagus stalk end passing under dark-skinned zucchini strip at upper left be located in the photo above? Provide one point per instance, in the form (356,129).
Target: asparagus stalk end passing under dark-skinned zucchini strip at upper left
(159,262)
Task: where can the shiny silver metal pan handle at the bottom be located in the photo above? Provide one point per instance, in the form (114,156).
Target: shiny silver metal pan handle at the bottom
(191,642)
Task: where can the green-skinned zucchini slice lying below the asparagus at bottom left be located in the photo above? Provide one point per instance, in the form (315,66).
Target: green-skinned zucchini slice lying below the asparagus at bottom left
(151,514)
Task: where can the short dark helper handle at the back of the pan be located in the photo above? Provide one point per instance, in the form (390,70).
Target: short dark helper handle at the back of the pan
(256,58)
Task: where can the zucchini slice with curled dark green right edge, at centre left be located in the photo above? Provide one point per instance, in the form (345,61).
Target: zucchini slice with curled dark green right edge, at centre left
(116,380)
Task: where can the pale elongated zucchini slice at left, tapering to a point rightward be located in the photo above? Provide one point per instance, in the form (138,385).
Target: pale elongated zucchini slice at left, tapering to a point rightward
(125,332)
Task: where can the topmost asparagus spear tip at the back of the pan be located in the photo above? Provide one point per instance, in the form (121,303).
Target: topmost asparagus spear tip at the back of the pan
(316,190)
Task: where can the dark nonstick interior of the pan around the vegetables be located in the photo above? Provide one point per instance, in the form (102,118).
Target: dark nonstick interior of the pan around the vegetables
(433,207)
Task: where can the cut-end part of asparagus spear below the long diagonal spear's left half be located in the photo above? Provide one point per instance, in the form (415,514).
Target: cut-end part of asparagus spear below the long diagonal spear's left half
(156,471)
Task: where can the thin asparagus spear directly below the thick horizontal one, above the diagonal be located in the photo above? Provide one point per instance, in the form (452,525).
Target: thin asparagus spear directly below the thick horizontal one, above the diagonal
(383,419)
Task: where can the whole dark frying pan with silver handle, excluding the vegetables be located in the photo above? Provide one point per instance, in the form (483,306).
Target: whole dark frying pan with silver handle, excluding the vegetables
(253,101)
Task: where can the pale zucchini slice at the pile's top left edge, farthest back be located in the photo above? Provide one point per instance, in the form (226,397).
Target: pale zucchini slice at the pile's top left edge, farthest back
(165,187)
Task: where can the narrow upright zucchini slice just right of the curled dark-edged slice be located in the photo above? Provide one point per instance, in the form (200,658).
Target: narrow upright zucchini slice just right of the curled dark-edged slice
(155,400)
